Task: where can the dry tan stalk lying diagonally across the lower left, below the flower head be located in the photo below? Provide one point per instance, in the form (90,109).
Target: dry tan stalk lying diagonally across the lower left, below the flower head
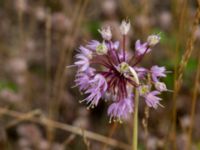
(42,120)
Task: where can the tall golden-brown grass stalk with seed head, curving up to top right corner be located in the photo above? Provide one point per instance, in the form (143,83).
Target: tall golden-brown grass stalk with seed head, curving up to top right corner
(179,74)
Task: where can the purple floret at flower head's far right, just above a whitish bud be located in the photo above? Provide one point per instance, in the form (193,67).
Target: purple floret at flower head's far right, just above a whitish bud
(156,72)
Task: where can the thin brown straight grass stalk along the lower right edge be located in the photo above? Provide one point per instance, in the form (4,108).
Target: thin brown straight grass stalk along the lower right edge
(193,107)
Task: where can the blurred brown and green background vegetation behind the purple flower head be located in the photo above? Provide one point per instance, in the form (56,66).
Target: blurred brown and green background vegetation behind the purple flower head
(38,39)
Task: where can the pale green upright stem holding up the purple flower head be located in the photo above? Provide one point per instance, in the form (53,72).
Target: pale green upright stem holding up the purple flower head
(135,121)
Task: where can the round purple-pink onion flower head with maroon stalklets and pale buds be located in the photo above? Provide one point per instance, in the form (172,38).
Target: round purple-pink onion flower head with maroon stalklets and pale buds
(106,71)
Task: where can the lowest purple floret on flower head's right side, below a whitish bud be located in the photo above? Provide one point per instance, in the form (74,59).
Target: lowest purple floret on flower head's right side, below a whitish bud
(152,100)
